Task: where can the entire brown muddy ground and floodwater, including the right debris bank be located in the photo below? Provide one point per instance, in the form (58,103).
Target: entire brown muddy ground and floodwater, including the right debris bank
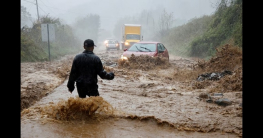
(144,100)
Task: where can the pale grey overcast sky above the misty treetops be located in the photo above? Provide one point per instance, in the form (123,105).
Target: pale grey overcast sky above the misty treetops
(110,10)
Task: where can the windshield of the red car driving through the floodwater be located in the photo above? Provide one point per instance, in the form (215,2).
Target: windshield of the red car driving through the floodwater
(143,47)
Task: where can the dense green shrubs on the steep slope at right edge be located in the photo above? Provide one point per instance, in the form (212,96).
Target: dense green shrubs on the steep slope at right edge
(226,26)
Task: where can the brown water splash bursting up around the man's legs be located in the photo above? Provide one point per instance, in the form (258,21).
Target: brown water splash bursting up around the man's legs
(77,108)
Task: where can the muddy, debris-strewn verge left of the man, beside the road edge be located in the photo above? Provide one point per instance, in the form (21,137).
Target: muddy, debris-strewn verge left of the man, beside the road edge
(40,78)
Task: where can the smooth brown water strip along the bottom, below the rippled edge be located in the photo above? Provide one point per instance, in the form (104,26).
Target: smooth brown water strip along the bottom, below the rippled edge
(112,127)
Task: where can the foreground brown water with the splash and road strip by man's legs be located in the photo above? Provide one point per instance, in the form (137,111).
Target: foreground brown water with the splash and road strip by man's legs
(115,124)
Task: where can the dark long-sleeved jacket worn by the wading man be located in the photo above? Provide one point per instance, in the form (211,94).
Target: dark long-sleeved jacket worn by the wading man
(85,68)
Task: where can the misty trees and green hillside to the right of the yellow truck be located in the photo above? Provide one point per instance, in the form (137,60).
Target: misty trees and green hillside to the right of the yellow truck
(198,37)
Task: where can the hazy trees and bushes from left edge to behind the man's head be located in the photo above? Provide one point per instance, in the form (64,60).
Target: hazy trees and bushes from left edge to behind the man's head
(68,39)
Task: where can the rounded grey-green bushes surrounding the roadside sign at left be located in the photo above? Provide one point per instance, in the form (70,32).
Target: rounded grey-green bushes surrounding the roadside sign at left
(34,49)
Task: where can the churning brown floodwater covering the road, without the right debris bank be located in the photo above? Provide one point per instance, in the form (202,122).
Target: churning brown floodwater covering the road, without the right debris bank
(138,103)
